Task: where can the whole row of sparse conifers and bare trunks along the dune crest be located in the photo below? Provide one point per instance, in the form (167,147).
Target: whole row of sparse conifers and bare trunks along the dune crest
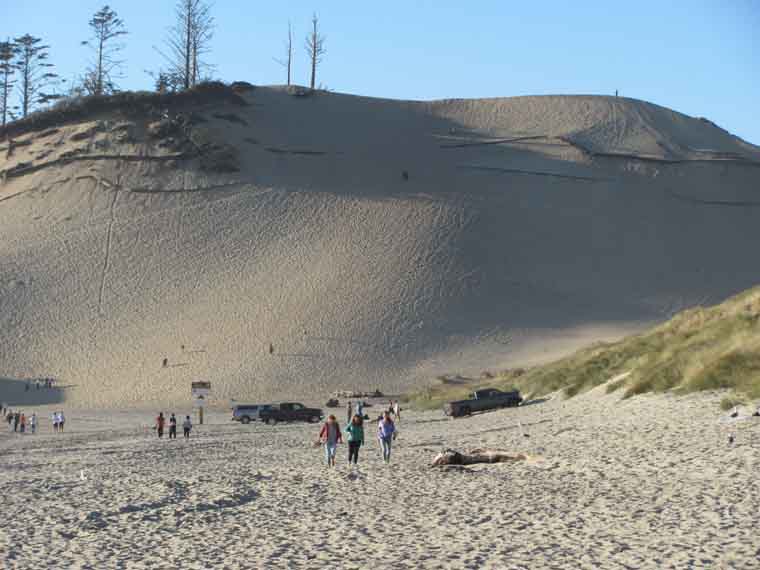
(28,80)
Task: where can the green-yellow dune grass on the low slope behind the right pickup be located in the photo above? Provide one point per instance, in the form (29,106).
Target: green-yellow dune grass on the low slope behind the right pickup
(702,348)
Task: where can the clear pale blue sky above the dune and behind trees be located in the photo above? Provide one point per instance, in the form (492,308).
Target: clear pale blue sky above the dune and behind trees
(700,57)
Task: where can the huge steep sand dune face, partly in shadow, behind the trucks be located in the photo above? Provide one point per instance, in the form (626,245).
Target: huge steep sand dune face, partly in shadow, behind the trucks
(604,215)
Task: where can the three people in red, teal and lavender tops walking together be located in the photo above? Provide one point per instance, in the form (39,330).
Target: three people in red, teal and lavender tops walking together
(330,436)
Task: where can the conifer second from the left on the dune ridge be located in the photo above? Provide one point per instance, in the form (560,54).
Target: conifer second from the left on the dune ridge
(34,73)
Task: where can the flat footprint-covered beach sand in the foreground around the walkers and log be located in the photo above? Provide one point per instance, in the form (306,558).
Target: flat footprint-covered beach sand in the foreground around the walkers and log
(648,482)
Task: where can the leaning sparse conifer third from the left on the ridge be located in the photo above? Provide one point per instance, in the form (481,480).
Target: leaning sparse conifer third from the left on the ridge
(106,27)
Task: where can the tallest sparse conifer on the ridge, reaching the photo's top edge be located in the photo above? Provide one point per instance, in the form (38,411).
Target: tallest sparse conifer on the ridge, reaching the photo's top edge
(188,41)
